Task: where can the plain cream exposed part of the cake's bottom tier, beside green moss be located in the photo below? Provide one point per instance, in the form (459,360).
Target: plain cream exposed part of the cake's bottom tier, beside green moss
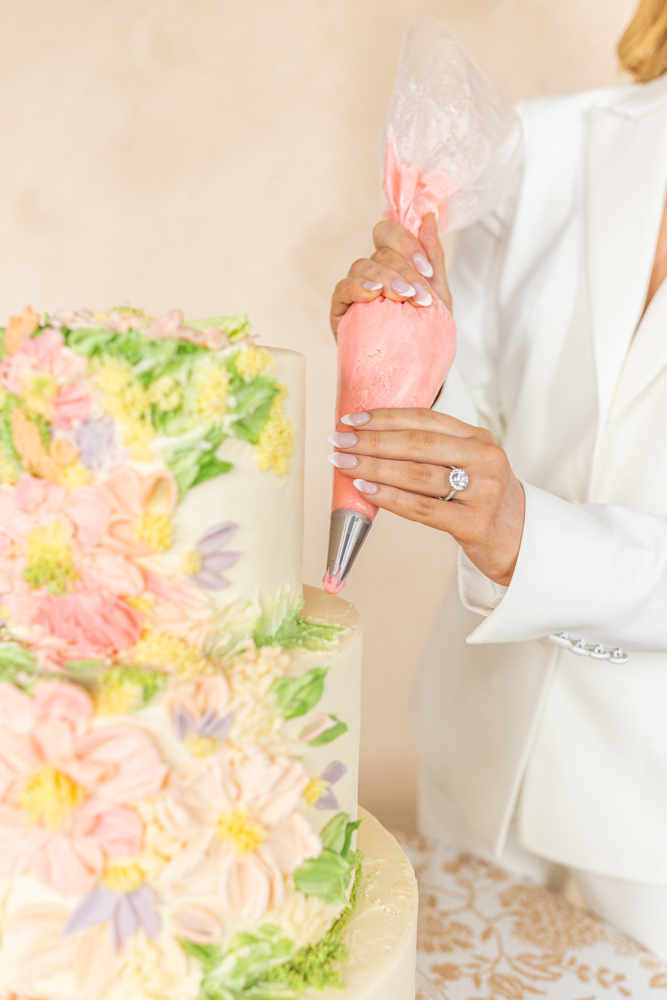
(381,937)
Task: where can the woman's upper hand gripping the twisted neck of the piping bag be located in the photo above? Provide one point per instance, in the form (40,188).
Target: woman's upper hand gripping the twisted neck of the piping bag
(397,270)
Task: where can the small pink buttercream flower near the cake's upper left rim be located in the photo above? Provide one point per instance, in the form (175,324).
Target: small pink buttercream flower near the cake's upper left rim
(48,377)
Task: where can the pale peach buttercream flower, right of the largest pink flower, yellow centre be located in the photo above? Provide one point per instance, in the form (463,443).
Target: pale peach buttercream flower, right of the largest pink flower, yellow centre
(241,834)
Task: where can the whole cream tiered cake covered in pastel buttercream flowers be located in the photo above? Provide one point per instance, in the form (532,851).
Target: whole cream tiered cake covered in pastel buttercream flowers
(179,733)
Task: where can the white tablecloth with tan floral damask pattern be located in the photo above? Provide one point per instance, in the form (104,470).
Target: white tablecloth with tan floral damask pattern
(485,935)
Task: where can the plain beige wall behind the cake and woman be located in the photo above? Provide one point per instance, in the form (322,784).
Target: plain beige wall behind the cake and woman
(222,156)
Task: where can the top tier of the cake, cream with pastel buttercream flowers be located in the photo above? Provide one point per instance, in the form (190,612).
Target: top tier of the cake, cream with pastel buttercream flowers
(141,463)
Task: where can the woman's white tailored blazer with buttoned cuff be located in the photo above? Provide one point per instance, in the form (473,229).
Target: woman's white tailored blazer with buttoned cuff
(548,294)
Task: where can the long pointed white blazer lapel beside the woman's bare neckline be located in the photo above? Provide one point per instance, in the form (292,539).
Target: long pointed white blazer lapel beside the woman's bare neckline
(625,183)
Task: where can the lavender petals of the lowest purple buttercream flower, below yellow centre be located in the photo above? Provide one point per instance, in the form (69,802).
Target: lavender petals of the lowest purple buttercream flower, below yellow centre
(126,912)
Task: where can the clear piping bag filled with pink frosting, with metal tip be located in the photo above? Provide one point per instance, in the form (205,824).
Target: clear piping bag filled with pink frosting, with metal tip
(452,145)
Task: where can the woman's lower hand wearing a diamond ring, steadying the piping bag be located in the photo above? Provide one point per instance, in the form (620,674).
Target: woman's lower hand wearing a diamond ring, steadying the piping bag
(401,461)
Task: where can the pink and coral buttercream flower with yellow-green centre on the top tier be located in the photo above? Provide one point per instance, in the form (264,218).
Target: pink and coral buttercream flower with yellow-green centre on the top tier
(58,578)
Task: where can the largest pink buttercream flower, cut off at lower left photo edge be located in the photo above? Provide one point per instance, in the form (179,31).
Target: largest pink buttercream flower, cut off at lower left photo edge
(65,790)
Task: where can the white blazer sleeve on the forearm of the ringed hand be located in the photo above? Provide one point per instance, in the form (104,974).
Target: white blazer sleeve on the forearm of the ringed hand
(597,571)
